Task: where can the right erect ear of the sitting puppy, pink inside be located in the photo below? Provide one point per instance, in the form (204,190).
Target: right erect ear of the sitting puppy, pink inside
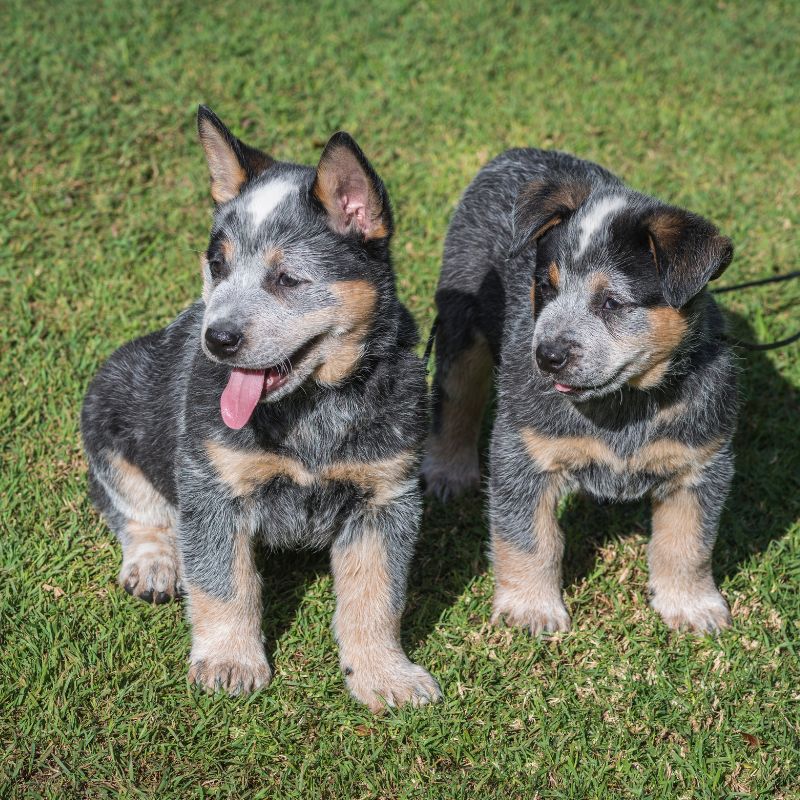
(350,191)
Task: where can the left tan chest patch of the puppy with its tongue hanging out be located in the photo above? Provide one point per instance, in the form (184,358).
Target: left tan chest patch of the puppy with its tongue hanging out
(243,472)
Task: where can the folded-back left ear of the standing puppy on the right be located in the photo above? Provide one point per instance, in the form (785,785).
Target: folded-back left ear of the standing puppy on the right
(542,204)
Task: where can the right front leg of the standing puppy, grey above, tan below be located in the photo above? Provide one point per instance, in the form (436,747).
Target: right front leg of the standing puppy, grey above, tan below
(685,523)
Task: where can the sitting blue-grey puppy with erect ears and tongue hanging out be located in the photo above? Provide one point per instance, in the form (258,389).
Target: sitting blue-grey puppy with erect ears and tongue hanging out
(287,408)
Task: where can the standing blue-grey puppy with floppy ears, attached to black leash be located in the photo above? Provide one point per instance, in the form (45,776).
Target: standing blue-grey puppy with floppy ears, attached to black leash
(613,376)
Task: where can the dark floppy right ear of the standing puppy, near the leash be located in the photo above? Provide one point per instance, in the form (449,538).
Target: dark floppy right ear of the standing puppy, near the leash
(688,251)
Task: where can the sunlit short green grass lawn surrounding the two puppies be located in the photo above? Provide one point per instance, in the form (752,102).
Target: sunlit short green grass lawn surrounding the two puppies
(104,207)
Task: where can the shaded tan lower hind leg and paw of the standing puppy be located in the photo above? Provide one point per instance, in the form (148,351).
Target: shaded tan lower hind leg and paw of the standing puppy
(451,463)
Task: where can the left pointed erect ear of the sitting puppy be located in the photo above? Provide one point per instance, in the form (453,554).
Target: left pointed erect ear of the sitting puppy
(230,161)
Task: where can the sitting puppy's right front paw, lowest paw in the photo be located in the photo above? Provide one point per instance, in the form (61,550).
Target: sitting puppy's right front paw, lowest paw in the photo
(393,683)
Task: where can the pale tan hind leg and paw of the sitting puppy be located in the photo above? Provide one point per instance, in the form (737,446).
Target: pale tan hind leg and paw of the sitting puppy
(143,521)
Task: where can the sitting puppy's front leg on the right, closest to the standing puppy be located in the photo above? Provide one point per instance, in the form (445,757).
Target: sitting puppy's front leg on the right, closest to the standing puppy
(369,560)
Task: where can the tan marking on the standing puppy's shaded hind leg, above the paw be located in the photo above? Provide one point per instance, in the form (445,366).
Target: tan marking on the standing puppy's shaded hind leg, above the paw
(464,391)
